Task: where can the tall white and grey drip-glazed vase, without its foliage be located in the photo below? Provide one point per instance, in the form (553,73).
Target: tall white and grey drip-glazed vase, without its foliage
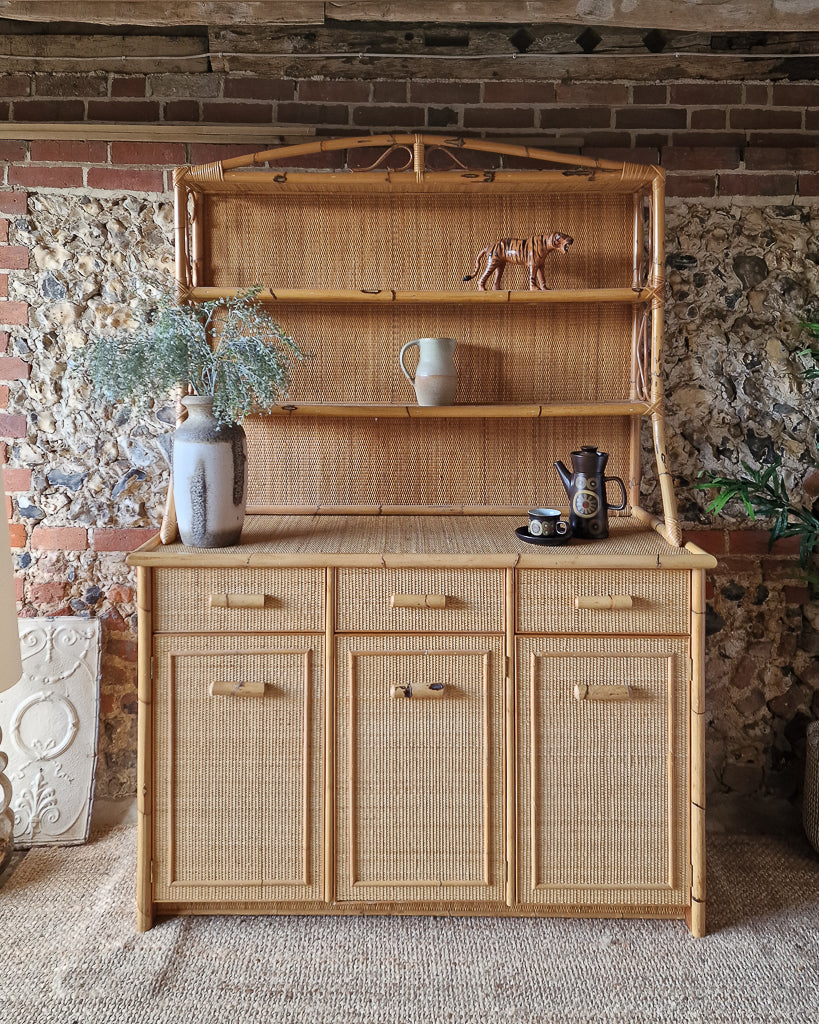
(210,477)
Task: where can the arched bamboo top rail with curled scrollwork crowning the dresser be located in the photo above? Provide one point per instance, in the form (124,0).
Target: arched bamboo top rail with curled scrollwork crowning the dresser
(614,175)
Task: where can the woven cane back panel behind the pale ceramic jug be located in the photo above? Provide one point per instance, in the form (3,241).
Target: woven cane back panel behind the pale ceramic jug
(521,354)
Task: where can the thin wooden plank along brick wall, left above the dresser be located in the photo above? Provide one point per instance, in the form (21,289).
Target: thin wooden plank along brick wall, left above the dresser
(256,137)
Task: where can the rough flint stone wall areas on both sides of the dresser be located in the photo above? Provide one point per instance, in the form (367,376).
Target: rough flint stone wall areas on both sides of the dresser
(741,277)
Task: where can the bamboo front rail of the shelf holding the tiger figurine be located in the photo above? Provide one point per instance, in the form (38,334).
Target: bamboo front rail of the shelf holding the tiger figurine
(600,295)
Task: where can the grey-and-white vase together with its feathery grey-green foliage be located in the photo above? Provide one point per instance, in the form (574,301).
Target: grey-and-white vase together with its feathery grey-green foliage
(229,358)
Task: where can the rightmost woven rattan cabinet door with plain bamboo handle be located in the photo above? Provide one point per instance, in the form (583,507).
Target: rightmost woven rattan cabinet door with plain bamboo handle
(602,776)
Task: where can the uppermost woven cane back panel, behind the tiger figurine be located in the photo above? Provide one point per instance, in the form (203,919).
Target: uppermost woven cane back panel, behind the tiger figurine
(409,241)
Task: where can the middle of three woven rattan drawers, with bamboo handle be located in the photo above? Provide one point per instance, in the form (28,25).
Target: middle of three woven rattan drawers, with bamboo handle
(420,601)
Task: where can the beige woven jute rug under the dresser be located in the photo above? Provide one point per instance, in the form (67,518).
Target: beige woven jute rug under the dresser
(70,955)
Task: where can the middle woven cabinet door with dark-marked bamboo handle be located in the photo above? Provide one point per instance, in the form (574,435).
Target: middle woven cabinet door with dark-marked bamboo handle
(420,779)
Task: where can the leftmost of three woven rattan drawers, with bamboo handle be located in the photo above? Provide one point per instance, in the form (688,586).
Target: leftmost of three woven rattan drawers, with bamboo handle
(251,601)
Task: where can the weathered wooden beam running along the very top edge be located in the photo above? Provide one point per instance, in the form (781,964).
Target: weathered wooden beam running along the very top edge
(708,16)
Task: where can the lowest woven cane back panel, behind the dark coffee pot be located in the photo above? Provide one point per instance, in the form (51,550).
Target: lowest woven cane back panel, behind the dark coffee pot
(329,461)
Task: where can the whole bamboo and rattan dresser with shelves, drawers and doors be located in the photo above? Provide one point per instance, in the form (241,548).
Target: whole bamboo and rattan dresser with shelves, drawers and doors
(382,701)
